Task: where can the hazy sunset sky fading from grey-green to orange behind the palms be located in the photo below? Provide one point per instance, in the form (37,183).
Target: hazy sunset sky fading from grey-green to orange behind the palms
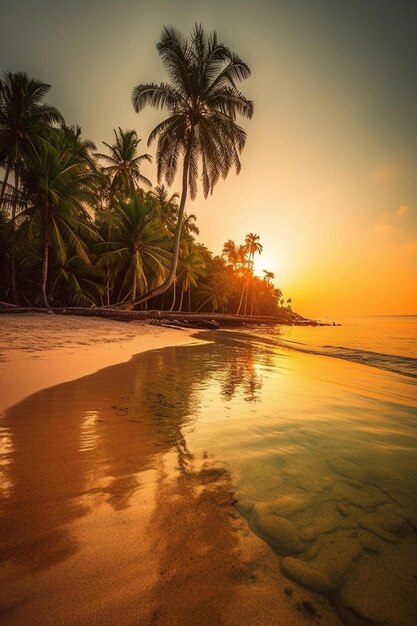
(329,171)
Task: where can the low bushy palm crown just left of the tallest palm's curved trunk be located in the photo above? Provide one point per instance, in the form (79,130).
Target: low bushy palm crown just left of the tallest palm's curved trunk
(138,250)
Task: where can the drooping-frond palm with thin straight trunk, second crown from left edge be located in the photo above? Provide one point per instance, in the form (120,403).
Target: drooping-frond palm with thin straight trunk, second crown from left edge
(57,184)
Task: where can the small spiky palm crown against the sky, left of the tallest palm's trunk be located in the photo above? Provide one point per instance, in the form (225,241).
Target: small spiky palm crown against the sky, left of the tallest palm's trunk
(124,164)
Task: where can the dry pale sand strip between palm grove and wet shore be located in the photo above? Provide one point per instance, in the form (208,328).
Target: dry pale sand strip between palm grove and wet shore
(77,348)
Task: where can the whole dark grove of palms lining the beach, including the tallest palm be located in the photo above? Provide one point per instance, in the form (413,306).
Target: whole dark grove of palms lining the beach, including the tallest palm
(83,228)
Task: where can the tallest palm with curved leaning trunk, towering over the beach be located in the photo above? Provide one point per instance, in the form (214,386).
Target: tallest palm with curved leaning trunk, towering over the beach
(203,102)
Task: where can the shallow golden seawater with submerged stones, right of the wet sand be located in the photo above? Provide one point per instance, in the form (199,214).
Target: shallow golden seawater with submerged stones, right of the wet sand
(318,426)
